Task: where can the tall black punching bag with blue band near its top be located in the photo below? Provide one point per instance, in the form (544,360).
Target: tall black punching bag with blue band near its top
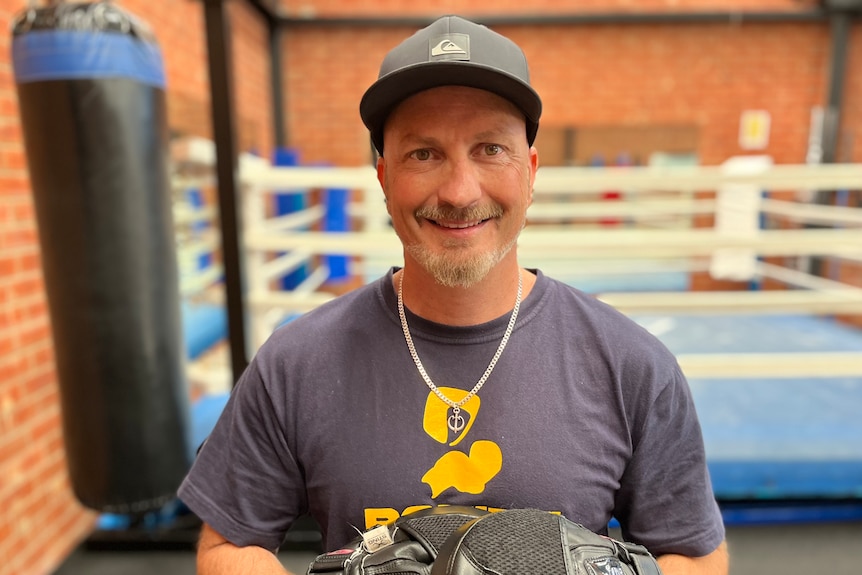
(90,84)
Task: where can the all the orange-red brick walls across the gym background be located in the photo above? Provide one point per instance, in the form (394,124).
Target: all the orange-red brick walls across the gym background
(634,75)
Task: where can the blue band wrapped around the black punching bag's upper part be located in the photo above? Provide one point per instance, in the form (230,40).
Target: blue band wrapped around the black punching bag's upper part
(66,55)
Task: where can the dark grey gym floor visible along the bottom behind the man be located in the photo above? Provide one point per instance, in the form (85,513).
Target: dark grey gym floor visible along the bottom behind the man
(787,549)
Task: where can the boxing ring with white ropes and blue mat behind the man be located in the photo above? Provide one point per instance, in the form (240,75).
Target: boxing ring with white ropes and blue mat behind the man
(775,367)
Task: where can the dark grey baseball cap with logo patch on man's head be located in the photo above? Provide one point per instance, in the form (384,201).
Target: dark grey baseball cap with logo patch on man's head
(451,51)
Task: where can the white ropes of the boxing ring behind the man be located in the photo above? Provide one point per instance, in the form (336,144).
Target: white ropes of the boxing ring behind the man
(652,233)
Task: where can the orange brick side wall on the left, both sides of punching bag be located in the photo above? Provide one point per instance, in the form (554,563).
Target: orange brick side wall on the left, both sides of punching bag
(40,520)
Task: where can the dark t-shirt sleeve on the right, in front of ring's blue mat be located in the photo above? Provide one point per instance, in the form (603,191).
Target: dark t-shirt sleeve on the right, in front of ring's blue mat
(666,501)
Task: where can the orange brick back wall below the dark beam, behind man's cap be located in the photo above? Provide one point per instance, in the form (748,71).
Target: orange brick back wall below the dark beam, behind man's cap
(635,75)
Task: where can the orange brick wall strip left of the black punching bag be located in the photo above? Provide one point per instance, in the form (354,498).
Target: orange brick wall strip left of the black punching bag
(39,519)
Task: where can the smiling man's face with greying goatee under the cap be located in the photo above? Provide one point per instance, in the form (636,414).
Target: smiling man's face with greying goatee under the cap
(458,178)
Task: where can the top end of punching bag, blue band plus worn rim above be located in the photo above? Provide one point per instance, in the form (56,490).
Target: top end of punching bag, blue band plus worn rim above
(84,41)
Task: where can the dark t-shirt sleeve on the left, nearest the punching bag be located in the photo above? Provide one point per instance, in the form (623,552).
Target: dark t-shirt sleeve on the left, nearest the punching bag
(245,482)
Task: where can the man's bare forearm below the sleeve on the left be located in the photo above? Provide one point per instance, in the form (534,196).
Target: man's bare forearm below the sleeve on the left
(218,556)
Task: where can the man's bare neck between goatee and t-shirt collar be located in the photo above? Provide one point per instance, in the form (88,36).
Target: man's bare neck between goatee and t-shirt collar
(489,299)
